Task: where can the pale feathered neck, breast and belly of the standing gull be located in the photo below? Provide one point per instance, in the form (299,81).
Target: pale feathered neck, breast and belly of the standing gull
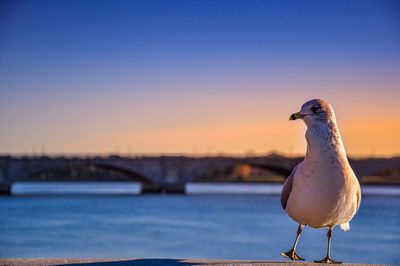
(323,193)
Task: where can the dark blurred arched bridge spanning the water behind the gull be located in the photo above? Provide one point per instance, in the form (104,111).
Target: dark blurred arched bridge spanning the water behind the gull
(163,172)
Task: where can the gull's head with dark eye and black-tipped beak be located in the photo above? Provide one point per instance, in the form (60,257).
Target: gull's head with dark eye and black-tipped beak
(315,112)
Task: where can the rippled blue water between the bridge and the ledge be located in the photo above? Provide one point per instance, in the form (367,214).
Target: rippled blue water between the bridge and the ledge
(191,226)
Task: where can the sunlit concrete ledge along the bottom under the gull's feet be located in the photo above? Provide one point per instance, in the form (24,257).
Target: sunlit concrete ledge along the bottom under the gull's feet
(147,262)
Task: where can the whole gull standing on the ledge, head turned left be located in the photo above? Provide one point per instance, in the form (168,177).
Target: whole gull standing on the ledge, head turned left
(322,190)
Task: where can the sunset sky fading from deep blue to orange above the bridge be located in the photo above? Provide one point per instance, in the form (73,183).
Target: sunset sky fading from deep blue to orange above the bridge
(195,77)
